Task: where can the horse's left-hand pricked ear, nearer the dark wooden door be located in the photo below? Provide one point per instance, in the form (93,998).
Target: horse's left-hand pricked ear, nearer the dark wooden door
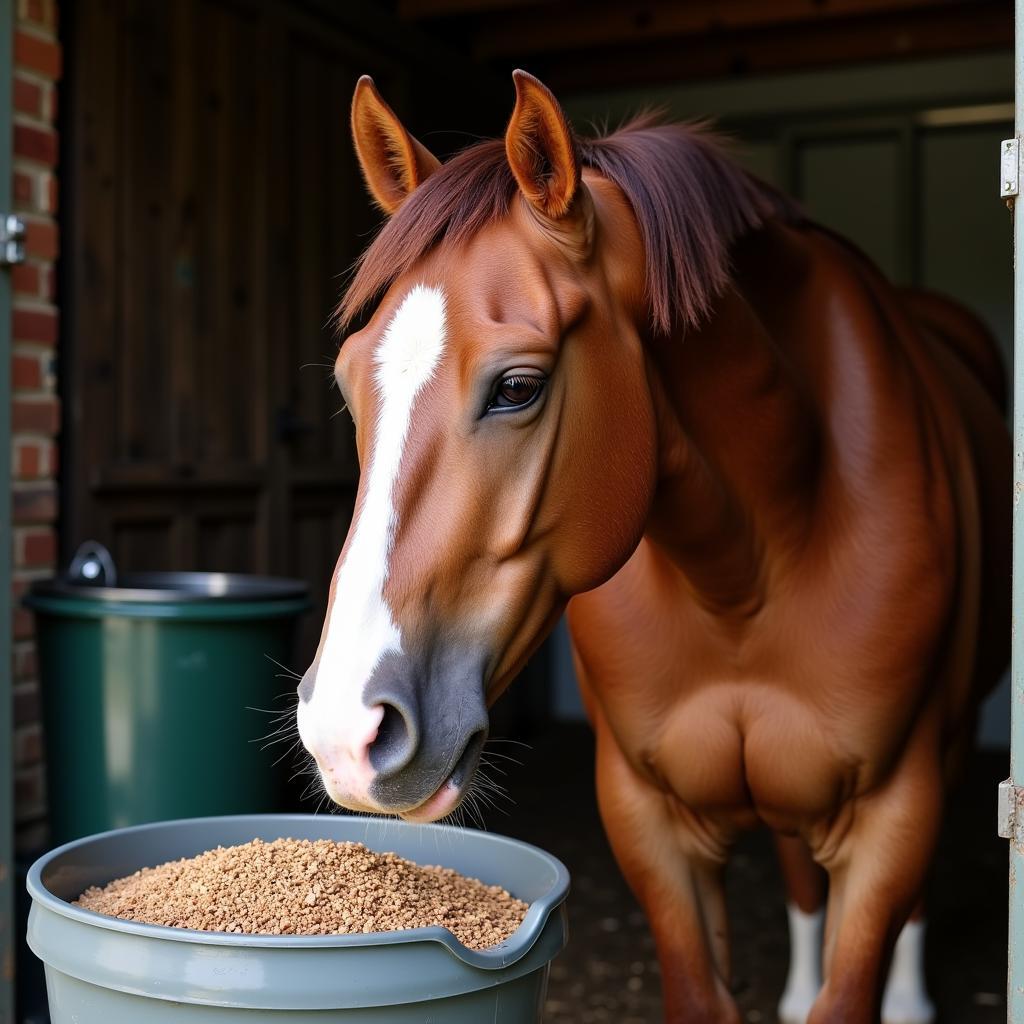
(394,162)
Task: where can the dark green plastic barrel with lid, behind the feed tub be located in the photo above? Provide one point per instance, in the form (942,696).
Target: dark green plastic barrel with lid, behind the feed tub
(151,691)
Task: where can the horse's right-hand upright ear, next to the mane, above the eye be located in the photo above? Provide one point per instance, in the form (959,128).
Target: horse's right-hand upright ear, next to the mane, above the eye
(541,149)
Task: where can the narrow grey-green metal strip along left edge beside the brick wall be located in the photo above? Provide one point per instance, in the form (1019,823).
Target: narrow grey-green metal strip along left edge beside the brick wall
(7,766)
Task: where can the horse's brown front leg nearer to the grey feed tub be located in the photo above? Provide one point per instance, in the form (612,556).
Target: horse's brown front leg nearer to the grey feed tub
(679,887)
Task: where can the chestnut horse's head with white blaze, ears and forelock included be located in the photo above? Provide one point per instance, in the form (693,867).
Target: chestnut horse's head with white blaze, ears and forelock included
(507,440)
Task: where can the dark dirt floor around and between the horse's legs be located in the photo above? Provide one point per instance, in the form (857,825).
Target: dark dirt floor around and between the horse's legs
(609,973)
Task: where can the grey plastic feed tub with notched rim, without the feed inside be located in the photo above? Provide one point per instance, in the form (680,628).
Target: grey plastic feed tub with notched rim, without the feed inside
(102,970)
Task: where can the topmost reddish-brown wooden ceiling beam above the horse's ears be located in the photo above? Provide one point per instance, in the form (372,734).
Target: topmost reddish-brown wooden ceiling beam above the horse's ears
(578,27)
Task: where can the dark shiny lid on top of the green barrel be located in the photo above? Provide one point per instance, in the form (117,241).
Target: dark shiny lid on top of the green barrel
(158,588)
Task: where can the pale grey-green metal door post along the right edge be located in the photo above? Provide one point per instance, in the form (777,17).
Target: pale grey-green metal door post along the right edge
(1015,995)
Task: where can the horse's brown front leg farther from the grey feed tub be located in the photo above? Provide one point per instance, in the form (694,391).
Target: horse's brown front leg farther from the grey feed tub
(877,874)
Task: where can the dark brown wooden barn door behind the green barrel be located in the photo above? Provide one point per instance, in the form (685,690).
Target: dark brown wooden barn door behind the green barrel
(214,204)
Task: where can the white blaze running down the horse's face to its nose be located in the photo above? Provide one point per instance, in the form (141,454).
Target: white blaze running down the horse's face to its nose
(361,629)
